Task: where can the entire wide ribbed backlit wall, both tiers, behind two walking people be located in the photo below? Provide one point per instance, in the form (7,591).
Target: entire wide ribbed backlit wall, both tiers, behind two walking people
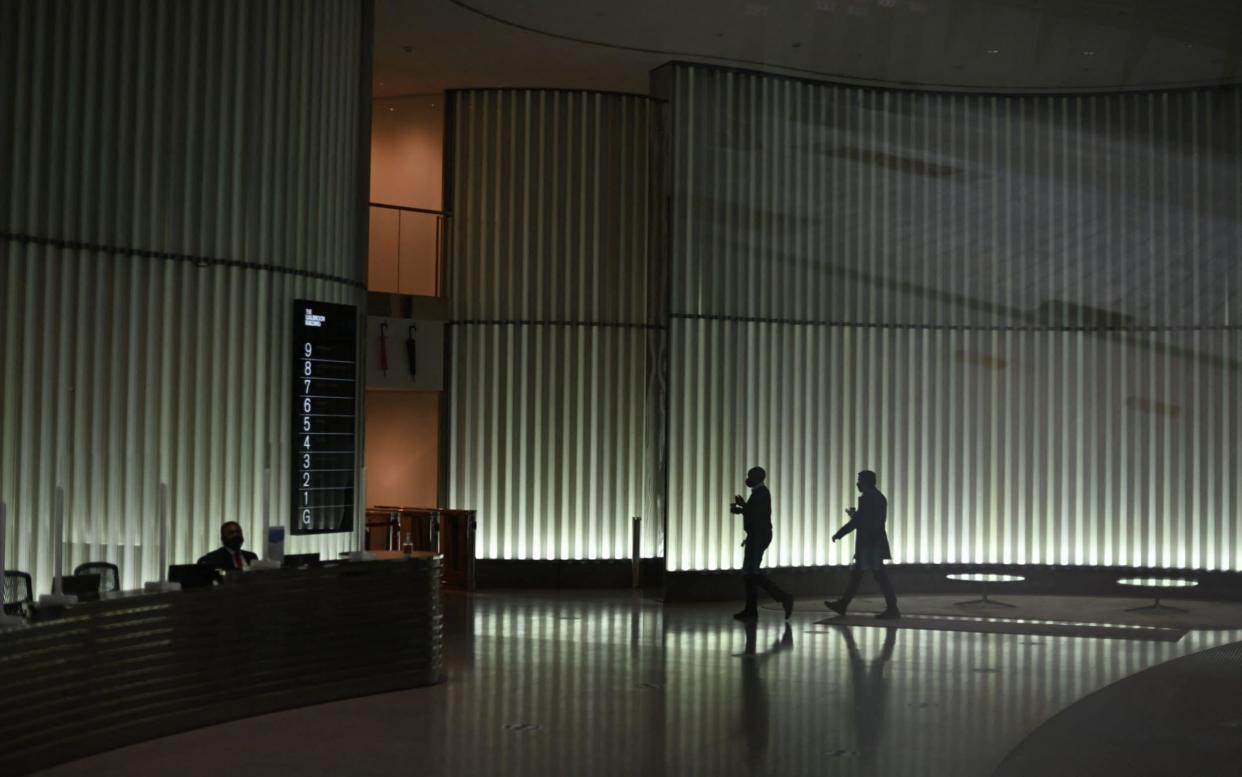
(1020,312)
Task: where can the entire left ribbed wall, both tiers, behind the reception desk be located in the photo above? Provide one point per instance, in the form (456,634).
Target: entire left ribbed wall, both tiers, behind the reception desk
(176,176)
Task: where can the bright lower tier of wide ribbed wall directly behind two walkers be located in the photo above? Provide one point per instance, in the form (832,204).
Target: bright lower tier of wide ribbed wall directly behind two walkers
(1017,447)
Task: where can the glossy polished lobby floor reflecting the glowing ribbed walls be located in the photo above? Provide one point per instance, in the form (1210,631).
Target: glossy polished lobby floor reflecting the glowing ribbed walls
(614,683)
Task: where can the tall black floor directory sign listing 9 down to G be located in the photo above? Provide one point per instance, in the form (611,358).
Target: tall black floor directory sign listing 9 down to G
(325,416)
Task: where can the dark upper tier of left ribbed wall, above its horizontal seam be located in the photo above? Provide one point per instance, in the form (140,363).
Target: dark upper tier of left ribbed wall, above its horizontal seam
(209,128)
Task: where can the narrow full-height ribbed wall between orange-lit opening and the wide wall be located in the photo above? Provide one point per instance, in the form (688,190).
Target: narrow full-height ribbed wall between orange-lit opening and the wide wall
(548,267)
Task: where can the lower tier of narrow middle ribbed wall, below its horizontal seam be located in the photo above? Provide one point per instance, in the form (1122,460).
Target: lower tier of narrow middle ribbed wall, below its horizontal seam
(550,439)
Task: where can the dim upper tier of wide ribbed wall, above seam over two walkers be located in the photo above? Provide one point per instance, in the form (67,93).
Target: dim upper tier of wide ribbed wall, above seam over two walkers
(807,202)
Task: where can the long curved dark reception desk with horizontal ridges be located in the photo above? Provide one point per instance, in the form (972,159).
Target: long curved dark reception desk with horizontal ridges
(132,667)
